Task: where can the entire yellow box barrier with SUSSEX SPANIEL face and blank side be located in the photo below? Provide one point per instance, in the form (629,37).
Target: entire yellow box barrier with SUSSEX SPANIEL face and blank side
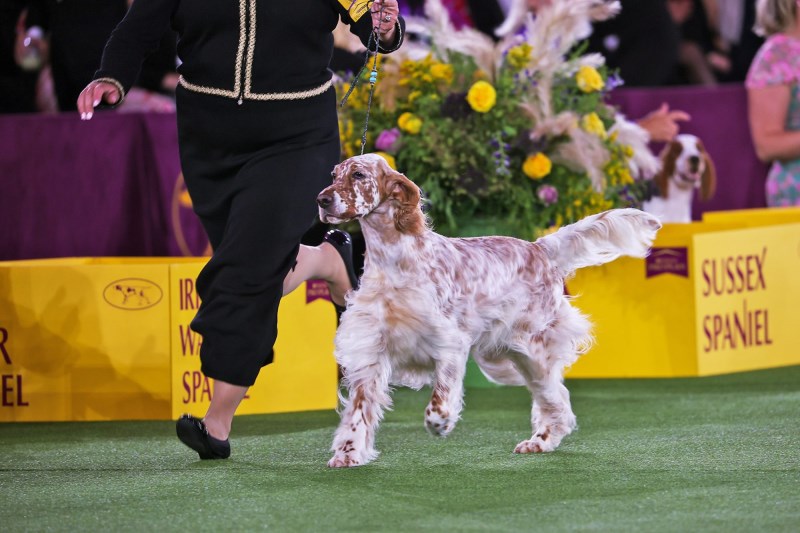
(712,297)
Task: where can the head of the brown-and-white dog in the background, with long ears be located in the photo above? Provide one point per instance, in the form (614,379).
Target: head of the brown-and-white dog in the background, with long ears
(685,161)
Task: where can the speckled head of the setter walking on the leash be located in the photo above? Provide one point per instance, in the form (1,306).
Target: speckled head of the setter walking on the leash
(366,184)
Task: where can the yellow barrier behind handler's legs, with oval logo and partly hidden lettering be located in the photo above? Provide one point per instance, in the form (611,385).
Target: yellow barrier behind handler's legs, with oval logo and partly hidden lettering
(109,339)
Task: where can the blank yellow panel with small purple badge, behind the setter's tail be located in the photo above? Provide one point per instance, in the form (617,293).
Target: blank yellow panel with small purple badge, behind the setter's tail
(643,318)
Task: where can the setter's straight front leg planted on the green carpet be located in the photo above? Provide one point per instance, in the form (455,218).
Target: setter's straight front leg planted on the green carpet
(368,396)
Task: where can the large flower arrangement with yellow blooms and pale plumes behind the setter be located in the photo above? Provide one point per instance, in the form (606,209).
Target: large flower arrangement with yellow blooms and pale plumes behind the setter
(508,138)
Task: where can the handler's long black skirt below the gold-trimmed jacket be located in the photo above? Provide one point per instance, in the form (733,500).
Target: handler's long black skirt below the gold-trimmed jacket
(253,172)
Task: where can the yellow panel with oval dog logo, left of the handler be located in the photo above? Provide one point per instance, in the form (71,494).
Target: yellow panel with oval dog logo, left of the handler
(82,340)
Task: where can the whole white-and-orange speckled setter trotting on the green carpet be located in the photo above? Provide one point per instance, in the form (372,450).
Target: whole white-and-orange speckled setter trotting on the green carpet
(425,302)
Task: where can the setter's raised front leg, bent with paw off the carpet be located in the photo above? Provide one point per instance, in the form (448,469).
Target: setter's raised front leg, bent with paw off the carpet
(447,399)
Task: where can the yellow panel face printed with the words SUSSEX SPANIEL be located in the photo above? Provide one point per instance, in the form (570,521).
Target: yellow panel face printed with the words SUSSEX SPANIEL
(747,289)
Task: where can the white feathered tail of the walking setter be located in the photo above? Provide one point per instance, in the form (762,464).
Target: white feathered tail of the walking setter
(601,238)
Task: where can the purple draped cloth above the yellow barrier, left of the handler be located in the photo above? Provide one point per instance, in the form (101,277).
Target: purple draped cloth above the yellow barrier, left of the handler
(111,186)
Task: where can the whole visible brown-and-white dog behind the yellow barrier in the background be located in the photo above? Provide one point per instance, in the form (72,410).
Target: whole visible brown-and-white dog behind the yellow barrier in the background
(686,166)
